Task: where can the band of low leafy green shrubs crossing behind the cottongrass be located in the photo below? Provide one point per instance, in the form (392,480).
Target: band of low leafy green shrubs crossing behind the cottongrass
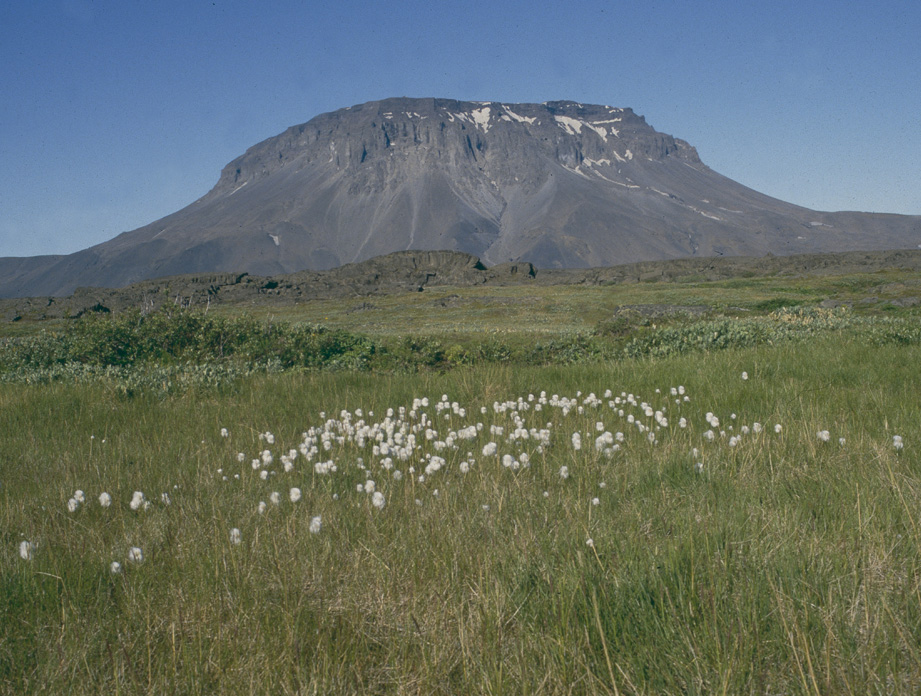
(175,351)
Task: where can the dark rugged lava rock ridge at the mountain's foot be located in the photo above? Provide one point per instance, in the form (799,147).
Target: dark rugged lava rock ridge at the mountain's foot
(415,271)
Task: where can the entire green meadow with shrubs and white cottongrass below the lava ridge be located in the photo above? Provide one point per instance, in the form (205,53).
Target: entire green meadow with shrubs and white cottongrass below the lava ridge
(218,503)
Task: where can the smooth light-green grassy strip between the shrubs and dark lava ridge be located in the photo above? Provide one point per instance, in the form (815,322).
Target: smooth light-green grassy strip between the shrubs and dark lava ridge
(547,310)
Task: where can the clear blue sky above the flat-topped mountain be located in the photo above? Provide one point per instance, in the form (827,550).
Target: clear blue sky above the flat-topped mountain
(117,112)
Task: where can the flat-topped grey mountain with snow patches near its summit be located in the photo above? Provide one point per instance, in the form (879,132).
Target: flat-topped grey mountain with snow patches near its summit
(559,184)
